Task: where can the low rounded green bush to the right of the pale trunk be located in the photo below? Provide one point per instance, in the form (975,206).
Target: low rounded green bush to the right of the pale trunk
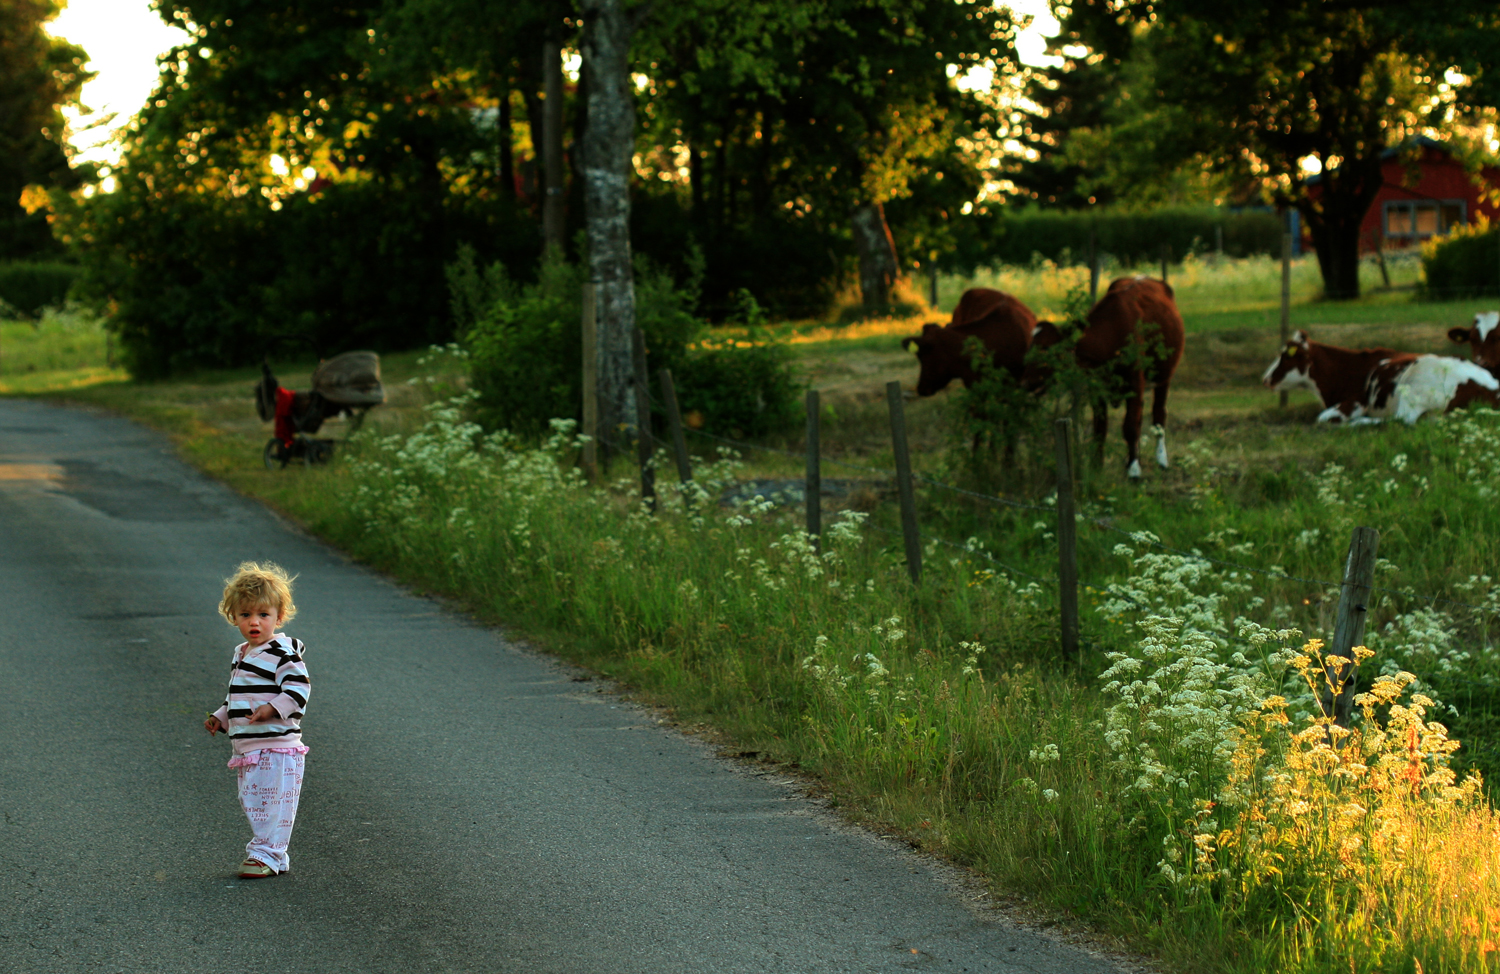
(740,392)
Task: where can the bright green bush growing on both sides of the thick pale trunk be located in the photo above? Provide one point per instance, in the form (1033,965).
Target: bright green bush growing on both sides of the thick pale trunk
(526,344)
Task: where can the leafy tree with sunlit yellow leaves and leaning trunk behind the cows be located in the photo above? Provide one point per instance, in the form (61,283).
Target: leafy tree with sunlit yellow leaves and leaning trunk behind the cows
(821,115)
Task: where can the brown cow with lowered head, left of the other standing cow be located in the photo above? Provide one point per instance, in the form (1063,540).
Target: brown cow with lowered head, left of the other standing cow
(1003,325)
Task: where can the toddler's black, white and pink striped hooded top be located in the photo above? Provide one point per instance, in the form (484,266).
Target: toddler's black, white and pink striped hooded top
(271,673)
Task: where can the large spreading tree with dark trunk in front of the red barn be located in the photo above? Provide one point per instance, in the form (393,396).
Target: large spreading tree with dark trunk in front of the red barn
(1276,94)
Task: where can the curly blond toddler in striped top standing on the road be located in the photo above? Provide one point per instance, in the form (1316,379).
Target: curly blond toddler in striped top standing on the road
(263,712)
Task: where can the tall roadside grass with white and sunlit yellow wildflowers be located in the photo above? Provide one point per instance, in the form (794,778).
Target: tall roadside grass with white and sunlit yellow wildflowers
(1180,787)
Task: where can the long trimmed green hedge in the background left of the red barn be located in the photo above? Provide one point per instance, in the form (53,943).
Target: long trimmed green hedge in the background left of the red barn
(1133,236)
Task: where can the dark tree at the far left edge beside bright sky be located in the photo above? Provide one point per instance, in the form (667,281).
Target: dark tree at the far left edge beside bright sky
(38,76)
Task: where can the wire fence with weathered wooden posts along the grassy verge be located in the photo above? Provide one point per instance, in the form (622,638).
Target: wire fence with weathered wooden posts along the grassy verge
(1357,586)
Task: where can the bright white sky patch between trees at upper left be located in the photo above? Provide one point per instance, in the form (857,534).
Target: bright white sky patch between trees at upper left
(124,40)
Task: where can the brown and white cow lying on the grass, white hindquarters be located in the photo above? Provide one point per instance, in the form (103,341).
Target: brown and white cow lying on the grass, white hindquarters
(1369,385)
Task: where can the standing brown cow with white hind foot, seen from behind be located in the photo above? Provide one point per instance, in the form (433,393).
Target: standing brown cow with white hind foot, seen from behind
(1135,314)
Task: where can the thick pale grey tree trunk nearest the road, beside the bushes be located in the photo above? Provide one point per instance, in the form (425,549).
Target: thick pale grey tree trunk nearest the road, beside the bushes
(608,149)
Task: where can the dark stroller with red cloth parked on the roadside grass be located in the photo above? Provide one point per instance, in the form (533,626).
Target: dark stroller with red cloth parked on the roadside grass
(344,385)
